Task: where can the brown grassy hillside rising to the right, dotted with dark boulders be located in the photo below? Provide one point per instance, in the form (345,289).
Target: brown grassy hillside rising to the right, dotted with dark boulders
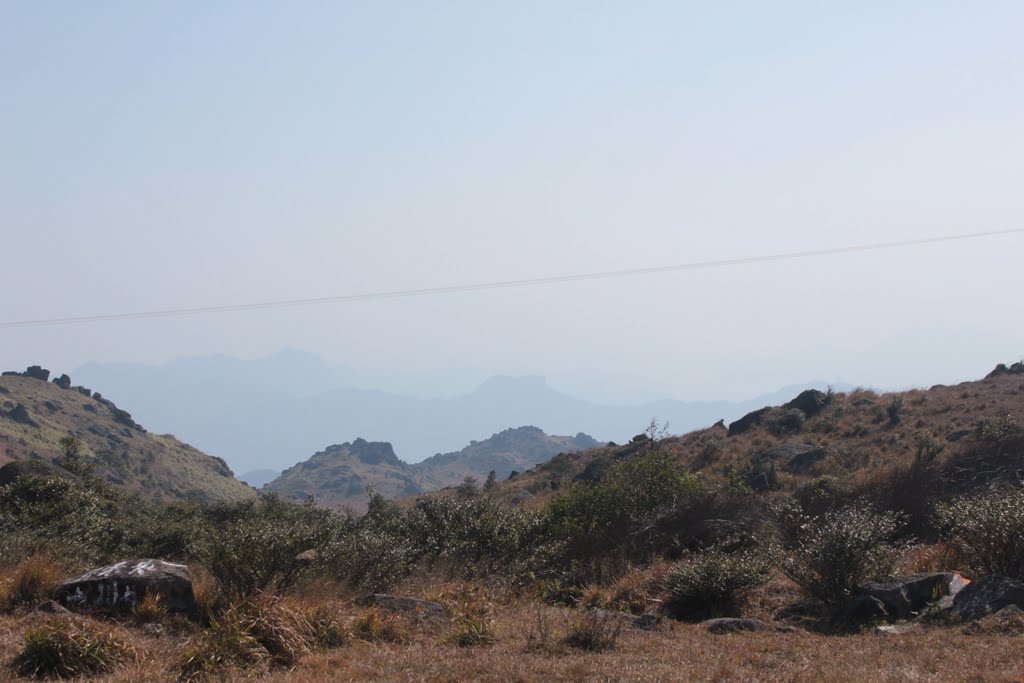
(843,442)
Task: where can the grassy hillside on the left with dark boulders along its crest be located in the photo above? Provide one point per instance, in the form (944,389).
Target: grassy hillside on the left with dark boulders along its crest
(36,414)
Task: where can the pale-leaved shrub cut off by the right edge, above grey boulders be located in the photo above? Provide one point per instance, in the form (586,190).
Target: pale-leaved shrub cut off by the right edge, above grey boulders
(988,532)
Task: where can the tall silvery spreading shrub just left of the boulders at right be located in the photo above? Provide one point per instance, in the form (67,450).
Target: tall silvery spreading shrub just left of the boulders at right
(840,549)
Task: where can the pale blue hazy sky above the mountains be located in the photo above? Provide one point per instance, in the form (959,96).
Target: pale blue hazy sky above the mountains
(189,154)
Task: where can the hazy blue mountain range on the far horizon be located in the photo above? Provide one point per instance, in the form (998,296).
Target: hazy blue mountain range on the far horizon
(273,412)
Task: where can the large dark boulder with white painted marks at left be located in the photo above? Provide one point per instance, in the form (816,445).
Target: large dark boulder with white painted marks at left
(123,586)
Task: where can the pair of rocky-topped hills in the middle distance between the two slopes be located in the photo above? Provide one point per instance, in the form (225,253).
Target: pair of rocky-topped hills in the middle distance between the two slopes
(342,475)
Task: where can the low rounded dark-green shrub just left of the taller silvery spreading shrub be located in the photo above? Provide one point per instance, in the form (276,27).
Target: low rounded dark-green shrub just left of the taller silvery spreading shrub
(714,582)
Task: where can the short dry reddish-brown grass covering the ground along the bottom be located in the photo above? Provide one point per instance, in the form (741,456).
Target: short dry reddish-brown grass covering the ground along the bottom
(674,653)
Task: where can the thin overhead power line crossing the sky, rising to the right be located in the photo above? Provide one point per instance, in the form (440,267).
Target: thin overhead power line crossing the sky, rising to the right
(531,282)
